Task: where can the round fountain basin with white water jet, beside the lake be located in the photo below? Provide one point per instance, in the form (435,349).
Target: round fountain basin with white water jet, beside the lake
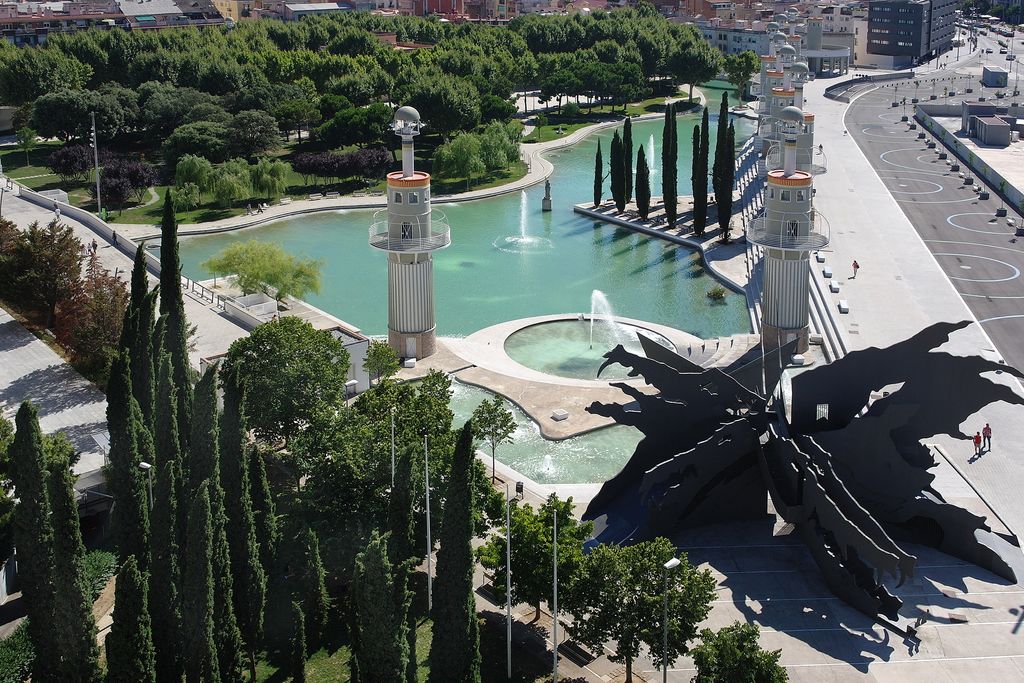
(568,349)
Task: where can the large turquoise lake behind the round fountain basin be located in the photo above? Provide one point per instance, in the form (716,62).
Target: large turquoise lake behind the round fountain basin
(508,260)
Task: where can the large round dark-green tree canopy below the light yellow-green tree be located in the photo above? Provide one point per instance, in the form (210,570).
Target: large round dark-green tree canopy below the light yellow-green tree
(291,372)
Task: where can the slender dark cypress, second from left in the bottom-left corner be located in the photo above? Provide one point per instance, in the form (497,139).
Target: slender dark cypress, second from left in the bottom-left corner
(73,624)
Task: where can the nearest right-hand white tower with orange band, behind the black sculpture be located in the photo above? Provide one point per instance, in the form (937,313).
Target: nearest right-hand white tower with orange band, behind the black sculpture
(789,230)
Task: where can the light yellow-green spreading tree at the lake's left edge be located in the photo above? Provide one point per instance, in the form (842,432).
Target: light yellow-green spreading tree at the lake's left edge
(267,268)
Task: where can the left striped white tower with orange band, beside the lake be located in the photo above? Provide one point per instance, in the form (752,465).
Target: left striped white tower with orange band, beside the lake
(410,233)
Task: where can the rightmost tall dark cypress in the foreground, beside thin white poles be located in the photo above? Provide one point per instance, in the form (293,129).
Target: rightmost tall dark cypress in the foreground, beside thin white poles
(455,652)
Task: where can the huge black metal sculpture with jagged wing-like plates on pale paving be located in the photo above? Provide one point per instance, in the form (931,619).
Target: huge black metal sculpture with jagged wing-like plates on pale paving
(847,467)
